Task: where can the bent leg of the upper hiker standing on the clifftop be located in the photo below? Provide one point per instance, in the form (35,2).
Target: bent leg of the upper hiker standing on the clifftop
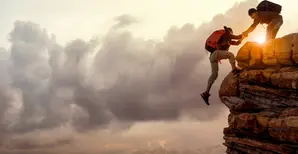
(273,27)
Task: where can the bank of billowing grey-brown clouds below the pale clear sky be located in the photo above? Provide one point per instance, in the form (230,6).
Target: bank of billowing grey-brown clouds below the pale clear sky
(108,85)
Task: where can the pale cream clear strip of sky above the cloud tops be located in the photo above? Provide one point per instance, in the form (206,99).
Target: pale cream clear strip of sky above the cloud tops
(70,19)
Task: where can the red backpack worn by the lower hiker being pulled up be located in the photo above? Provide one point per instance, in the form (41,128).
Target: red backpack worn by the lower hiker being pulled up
(213,40)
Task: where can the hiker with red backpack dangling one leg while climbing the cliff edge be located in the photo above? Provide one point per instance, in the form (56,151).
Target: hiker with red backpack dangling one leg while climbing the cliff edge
(218,44)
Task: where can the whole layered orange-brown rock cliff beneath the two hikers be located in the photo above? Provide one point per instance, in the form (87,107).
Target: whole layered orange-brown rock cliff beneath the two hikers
(263,99)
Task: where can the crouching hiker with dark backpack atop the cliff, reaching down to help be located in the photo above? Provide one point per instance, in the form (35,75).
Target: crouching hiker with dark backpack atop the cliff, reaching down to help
(266,13)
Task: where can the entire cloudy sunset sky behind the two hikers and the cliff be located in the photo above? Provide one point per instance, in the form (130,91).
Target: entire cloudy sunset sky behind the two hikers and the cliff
(114,77)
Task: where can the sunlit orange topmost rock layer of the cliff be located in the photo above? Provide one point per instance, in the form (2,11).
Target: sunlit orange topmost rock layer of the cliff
(275,53)
